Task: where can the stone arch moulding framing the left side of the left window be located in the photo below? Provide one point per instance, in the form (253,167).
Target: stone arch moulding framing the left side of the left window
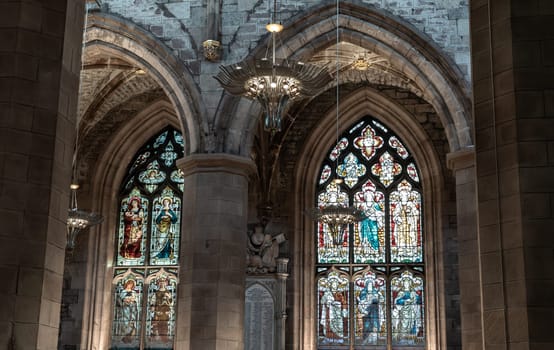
(112,167)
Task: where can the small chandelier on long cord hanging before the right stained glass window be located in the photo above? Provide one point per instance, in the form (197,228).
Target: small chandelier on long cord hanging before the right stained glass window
(335,212)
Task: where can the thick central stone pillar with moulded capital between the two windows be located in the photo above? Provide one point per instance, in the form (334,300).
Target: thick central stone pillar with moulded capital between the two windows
(211,290)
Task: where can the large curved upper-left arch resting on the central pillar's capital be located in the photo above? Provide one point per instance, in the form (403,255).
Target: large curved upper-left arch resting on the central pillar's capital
(122,39)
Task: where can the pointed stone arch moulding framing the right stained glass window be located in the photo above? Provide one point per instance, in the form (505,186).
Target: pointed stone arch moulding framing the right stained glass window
(357,105)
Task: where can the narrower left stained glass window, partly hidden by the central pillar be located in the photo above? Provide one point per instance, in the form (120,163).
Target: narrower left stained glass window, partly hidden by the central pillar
(147,247)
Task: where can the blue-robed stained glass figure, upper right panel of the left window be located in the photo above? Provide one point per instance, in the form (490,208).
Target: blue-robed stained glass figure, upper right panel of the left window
(164,249)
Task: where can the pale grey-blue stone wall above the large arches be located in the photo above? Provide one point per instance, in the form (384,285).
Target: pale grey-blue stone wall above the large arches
(181,24)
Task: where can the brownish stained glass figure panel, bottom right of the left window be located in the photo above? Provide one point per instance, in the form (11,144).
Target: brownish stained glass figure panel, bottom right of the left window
(160,318)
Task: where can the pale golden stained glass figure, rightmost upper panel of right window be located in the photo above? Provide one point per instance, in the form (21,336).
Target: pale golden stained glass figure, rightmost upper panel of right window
(405,223)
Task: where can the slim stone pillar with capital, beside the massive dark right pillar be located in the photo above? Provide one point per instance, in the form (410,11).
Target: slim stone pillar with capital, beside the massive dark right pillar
(462,163)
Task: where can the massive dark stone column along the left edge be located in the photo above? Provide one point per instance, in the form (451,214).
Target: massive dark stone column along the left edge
(40,51)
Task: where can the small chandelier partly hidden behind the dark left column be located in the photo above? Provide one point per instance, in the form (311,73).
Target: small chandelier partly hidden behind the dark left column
(78,219)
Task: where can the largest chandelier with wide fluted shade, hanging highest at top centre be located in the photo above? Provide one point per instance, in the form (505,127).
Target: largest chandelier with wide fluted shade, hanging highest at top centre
(273,82)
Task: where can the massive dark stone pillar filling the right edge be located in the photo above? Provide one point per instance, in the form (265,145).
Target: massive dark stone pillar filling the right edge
(513,84)
